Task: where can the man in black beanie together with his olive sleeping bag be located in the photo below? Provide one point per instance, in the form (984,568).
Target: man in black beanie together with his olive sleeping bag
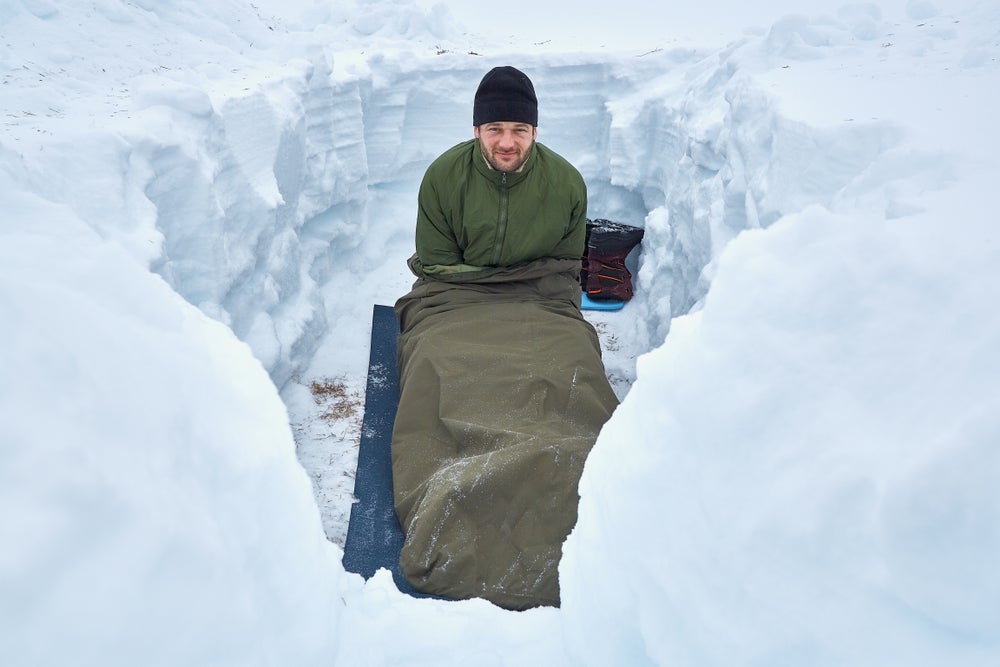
(502,388)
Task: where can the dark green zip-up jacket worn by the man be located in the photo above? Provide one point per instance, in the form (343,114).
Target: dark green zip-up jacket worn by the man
(472,218)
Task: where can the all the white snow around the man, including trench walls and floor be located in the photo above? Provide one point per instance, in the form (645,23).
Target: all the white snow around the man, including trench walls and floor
(201,202)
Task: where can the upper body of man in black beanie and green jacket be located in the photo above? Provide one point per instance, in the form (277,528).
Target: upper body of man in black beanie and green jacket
(500,199)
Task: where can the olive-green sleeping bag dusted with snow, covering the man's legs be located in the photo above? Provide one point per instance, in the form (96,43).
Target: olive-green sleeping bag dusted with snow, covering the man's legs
(502,395)
